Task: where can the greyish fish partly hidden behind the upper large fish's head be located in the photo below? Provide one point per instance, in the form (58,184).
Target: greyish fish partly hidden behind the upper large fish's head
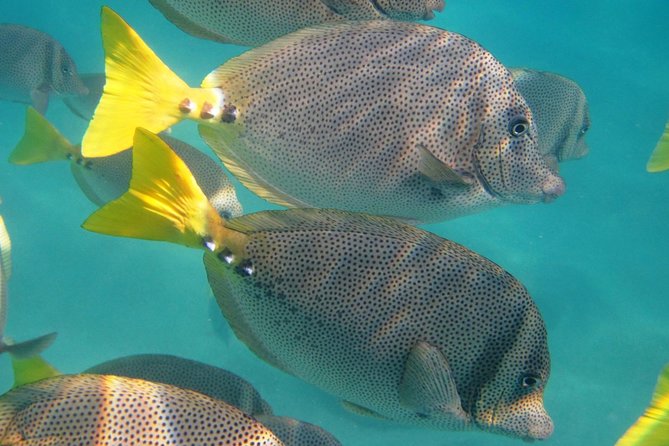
(560,109)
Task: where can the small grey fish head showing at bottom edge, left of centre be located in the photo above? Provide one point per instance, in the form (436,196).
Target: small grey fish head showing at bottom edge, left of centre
(298,433)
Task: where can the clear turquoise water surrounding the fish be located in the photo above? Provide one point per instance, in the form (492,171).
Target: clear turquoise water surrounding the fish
(595,260)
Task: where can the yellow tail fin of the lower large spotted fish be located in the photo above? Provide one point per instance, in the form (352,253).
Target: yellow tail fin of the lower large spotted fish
(163,202)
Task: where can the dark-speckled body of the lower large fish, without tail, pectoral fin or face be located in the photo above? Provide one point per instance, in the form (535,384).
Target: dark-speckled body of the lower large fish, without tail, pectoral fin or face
(340,304)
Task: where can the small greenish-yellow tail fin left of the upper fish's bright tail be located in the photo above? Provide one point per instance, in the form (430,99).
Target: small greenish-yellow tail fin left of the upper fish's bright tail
(41,142)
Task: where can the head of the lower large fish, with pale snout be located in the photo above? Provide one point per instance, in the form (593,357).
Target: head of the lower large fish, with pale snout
(511,402)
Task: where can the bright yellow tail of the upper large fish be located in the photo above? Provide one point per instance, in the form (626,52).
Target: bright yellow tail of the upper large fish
(140,91)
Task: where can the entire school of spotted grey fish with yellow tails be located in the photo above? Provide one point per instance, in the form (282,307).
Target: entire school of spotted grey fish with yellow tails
(363,123)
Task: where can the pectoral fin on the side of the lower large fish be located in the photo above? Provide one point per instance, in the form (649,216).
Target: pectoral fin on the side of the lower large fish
(427,384)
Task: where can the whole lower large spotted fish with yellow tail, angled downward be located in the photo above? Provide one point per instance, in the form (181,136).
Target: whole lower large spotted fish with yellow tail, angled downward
(397,322)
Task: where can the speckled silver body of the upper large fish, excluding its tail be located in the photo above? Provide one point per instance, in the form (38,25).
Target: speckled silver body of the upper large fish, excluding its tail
(336,117)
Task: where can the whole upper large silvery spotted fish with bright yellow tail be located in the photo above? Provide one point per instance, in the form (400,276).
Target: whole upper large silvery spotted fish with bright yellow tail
(377,117)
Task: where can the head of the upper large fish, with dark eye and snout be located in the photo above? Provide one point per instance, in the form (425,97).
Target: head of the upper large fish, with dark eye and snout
(506,157)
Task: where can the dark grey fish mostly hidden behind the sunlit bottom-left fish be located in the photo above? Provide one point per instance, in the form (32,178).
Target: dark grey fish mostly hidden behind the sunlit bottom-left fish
(220,384)
